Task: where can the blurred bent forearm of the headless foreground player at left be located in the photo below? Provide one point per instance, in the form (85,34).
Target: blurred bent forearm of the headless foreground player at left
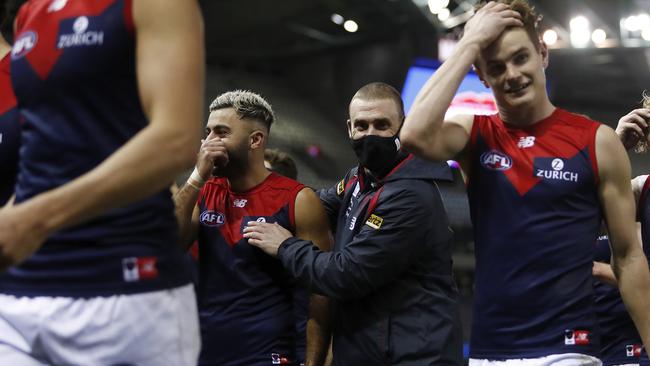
(145,165)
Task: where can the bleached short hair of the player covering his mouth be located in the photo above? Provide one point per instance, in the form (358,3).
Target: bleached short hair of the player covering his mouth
(247,105)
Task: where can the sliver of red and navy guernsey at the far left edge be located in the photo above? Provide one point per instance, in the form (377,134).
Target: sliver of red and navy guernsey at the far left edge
(9,133)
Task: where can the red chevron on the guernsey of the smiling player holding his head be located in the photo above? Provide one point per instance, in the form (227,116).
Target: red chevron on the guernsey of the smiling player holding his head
(515,150)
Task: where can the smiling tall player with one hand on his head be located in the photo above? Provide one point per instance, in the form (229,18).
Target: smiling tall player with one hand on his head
(540,180)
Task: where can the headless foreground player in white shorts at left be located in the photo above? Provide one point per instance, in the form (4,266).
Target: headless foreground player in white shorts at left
(110,92)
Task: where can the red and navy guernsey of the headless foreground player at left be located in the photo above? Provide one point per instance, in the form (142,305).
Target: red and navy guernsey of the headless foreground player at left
(73,72)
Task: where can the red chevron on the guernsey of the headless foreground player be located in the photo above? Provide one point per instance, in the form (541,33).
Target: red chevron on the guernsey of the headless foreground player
(42,47)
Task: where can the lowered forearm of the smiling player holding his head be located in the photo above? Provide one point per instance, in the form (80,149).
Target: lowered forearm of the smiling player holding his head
(634,285)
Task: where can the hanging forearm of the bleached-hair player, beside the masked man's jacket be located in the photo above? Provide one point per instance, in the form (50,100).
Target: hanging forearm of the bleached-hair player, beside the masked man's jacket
(318,331)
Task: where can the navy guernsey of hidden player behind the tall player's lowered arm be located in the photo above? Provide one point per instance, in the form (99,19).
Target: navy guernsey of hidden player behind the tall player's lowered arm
(621,342)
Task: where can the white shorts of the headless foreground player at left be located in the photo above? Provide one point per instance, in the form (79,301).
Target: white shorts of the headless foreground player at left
(149,329)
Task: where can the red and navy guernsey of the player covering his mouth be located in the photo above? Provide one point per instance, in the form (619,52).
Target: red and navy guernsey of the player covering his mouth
(247,307)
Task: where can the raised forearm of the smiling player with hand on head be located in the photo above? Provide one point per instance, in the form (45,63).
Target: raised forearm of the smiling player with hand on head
(424,121)
